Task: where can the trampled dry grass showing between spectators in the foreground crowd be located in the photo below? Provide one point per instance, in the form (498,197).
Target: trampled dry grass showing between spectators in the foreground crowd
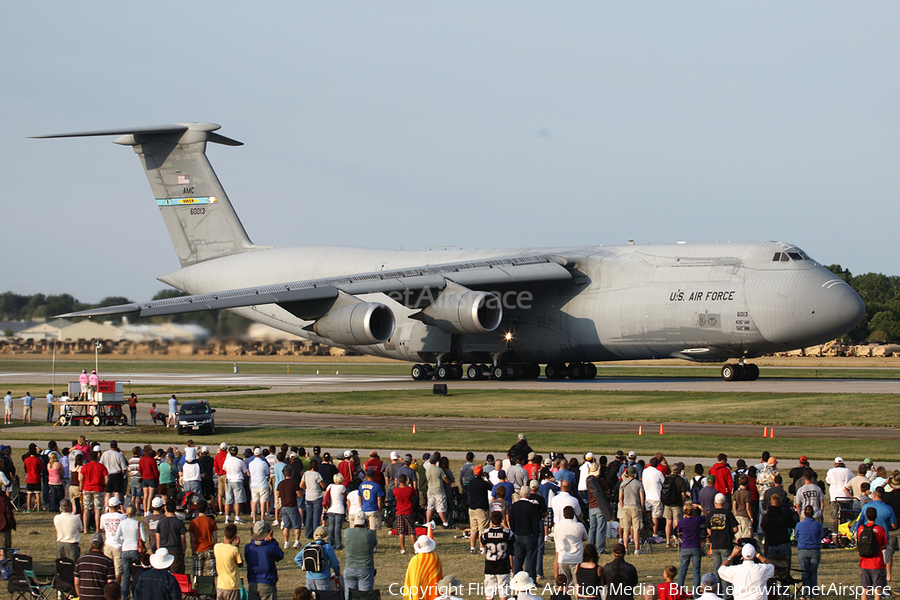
(34,536)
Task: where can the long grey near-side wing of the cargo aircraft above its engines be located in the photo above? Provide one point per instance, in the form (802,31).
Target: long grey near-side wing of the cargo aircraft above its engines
(311,298)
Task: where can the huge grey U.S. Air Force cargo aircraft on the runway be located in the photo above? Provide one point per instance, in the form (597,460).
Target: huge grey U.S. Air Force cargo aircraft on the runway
(496,314)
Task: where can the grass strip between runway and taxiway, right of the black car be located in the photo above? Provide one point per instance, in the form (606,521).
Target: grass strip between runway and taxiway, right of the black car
(682,407)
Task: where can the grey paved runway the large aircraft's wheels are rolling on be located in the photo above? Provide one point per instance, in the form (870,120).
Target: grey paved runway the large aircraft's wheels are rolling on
(346,383)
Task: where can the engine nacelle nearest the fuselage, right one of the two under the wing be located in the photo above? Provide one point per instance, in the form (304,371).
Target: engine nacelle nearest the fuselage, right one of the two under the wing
(459,310)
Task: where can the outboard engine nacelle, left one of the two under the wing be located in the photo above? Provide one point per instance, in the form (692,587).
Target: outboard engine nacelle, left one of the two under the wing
(359,324)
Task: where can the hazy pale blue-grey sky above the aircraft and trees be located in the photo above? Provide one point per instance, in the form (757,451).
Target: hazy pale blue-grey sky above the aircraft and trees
(480,124)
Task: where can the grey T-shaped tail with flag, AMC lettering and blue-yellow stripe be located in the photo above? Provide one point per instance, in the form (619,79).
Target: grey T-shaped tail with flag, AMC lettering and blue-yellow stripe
(200,219)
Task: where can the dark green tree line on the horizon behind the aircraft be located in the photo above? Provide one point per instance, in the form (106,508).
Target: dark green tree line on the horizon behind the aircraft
(881,293)
